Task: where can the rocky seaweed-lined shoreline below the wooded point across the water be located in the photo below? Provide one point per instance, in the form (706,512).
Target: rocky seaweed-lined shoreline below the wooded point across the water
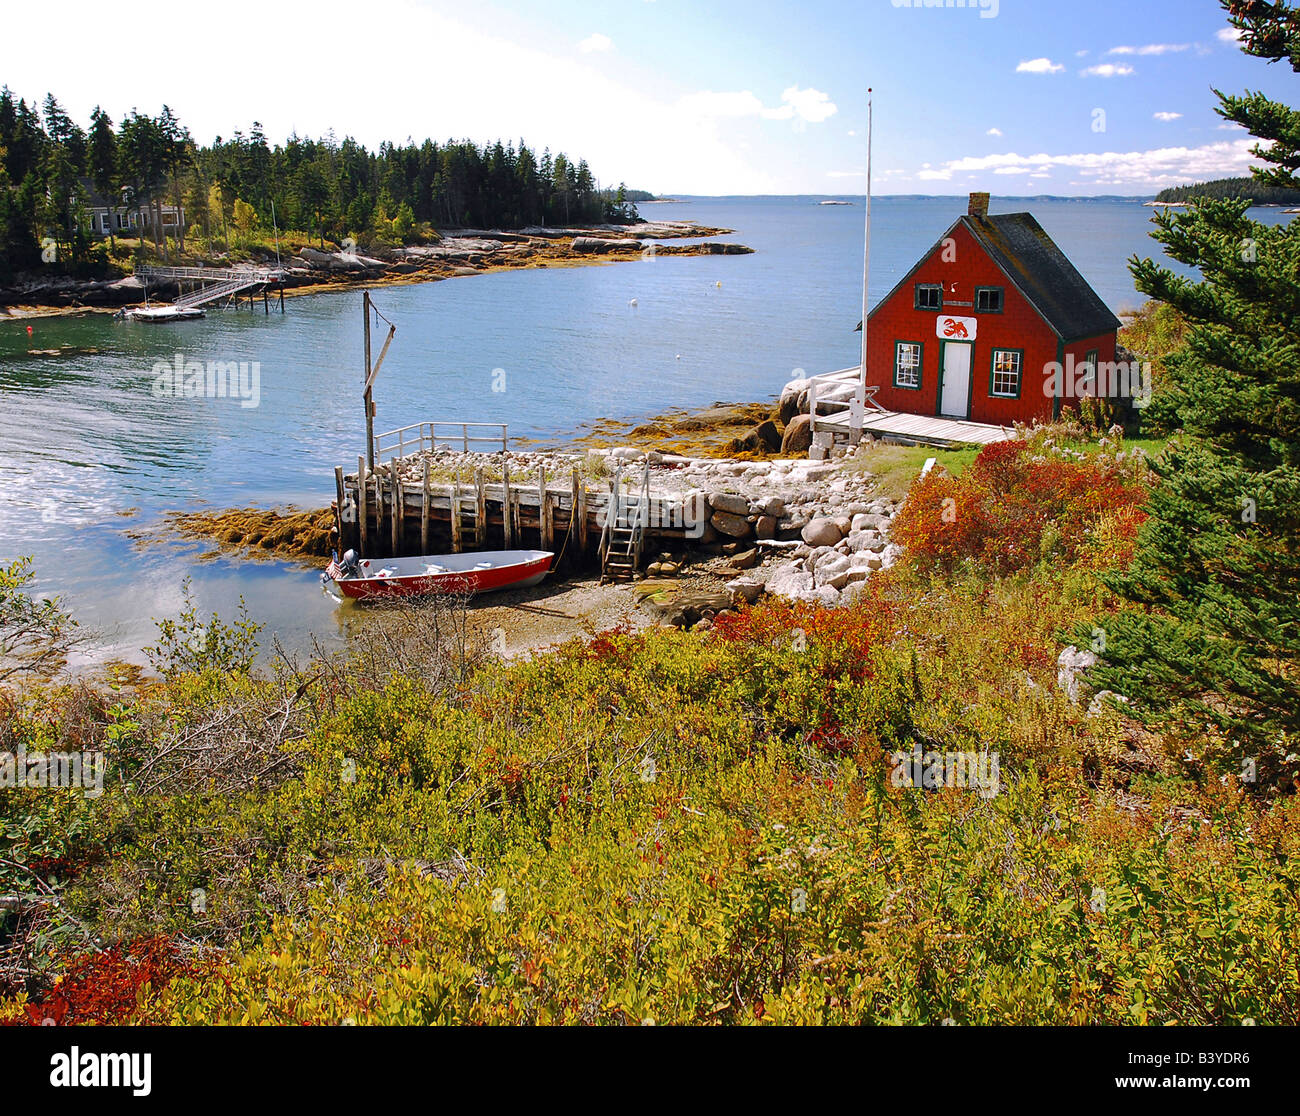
(458,254)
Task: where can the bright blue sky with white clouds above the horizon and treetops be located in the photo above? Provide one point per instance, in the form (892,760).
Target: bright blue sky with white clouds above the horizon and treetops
(1016,97)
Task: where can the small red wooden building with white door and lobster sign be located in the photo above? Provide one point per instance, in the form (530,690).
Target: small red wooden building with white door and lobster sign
(974,331)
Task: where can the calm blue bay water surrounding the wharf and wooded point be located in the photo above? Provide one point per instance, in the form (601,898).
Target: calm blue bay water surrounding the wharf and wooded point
(88,455)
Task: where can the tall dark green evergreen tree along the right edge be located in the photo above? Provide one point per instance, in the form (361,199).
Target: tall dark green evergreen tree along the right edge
(1211,642)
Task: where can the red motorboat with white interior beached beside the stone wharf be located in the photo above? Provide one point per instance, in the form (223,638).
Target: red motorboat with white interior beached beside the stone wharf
(473,573)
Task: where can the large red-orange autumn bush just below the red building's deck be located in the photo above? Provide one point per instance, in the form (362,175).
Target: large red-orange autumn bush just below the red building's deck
(1016,508)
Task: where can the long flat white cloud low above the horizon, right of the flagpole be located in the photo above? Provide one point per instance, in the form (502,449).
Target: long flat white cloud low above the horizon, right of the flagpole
(1154,168)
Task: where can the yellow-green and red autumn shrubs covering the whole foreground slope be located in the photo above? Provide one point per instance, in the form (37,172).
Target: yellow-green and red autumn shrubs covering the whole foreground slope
(681,828)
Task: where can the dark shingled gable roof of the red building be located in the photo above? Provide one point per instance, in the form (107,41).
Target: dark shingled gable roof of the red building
(1042,272)
